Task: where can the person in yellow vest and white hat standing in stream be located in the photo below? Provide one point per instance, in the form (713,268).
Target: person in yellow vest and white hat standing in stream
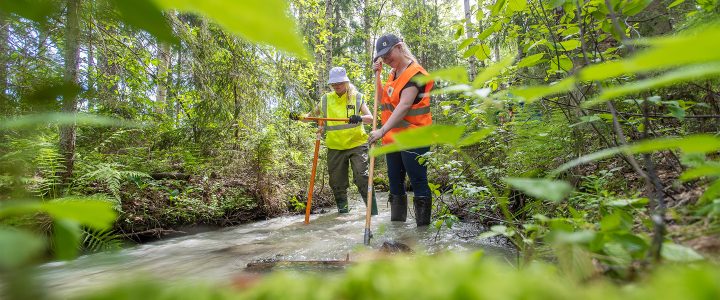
(346,142)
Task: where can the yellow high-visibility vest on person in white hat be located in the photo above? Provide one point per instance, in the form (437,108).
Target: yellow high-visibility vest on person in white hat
(342,135)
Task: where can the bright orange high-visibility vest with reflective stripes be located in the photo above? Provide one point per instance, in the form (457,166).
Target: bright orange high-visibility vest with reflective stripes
(419,113)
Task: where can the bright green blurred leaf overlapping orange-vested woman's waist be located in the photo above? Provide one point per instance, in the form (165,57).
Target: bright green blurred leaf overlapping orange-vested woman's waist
(421,137)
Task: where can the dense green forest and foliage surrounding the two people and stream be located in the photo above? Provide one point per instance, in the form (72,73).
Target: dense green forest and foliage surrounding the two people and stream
(583,132)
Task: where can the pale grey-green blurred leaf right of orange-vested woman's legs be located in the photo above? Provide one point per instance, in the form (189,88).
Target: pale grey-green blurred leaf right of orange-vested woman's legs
(553,190)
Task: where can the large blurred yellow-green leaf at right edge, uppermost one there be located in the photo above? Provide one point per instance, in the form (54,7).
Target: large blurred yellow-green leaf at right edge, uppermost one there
(690,47)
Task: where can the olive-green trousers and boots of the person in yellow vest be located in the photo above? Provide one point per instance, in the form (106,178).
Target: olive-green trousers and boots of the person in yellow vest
(338,162)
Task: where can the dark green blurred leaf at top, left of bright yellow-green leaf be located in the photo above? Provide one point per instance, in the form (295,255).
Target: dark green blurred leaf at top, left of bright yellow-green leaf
(146,15)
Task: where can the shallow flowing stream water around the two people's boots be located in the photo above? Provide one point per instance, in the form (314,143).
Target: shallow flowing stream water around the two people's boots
(217,256)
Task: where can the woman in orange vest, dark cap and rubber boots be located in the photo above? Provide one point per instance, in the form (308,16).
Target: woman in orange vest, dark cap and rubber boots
(405,104)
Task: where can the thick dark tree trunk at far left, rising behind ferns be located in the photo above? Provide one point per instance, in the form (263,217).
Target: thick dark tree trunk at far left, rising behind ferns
(72,58)
